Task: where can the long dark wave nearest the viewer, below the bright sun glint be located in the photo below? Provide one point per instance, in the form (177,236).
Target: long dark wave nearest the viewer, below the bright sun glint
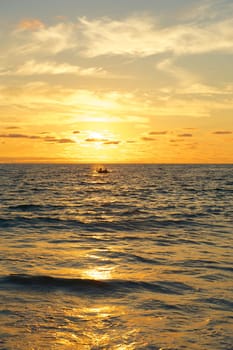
(49,283)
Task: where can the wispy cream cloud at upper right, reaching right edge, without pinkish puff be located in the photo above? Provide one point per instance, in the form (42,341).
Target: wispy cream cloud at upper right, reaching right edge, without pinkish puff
(142,36)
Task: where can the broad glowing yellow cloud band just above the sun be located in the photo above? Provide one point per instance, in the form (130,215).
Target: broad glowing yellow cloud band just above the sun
(74,105)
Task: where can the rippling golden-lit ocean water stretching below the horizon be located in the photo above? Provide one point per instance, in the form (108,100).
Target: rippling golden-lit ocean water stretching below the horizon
(139,258)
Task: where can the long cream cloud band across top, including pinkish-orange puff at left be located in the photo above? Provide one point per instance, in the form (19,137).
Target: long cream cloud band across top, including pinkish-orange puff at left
(138,36)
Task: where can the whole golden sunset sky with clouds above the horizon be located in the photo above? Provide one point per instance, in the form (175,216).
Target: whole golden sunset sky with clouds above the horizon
(105,81)
